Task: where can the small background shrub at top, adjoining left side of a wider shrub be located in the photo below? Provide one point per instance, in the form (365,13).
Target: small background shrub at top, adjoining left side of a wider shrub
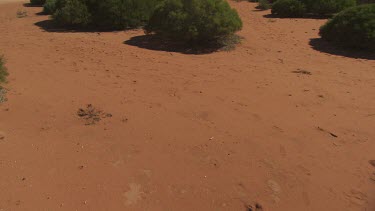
(288,8)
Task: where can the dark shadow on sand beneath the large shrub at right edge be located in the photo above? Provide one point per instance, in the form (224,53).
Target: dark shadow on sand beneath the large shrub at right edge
(321,45)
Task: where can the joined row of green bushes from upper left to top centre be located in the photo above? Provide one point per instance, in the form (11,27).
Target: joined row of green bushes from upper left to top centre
(191,21)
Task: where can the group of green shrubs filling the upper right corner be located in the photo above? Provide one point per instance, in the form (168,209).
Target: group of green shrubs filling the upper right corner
(353,27)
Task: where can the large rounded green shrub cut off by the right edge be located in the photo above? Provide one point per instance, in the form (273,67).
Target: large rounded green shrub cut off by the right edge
(353,27)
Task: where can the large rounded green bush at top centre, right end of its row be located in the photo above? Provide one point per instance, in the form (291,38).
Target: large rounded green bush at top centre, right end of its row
(194,21)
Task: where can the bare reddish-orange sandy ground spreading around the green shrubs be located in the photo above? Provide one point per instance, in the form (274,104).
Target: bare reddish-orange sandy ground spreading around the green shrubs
(219,131)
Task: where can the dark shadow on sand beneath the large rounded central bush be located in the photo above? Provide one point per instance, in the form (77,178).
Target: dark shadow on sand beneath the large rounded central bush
(153,42)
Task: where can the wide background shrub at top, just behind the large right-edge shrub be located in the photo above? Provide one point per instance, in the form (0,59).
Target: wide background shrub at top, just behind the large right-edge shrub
(327,6)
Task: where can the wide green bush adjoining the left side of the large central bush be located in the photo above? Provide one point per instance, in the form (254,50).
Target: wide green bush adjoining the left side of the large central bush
(109,14)
